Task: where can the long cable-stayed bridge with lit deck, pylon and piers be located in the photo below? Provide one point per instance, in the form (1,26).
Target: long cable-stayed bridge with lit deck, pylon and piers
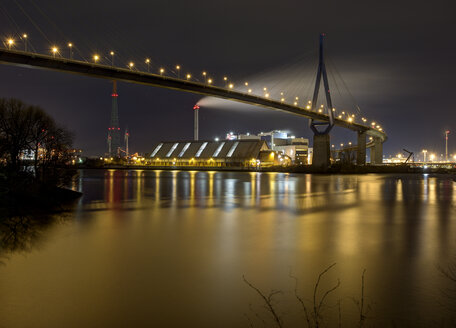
(321,120)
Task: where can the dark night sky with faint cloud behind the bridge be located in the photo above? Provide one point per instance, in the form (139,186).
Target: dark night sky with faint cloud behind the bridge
(397,58)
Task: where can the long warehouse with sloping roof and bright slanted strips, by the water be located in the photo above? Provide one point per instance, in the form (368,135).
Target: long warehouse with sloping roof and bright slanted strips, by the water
(223,153)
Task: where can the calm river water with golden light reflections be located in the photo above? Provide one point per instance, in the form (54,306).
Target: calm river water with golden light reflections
(170,249)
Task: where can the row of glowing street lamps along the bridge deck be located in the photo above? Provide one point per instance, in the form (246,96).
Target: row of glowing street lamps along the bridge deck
(208,80)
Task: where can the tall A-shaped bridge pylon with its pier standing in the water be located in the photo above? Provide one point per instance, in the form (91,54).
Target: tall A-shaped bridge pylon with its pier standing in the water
(321,140)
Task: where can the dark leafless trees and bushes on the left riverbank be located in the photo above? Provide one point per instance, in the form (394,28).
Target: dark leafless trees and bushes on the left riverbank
(33,187)
